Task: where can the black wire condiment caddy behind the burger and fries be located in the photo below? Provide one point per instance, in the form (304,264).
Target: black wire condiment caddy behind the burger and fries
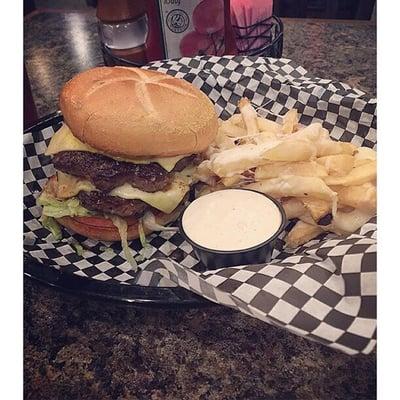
(269,33)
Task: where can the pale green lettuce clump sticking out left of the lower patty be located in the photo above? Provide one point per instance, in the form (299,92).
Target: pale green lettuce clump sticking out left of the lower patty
(61,208)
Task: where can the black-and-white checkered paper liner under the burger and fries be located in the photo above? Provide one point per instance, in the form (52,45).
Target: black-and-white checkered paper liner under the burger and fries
(324,290)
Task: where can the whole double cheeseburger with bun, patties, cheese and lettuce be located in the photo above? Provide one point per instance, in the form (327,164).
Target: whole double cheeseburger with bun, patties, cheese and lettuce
(125,154)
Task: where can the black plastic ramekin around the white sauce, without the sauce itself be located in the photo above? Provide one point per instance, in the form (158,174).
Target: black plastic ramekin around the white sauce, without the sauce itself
(261,253)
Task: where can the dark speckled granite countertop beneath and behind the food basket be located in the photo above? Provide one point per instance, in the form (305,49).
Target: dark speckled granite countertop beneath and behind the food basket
(80,348)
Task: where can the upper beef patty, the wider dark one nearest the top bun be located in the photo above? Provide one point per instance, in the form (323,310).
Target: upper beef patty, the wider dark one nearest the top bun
(106,173)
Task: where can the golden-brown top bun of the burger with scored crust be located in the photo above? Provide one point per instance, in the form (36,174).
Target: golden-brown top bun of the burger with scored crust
(133,112)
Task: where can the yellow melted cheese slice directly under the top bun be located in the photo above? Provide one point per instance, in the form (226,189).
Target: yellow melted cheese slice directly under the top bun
(64,140)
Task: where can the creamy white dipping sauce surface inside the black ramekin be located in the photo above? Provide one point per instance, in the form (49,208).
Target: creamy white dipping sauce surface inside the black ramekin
(231,219)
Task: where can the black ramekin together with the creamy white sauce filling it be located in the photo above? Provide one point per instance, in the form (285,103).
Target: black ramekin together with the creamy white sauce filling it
(233,227)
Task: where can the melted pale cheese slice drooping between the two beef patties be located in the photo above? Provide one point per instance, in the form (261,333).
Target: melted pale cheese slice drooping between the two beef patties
(166,201)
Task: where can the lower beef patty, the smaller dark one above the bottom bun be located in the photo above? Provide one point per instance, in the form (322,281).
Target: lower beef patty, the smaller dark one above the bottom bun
(103,203)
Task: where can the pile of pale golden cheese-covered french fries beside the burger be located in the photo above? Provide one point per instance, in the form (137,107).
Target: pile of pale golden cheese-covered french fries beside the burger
(325,184)
